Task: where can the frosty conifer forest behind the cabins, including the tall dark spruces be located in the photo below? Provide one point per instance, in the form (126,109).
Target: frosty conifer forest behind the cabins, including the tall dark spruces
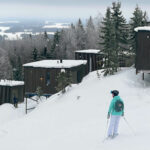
(112,34)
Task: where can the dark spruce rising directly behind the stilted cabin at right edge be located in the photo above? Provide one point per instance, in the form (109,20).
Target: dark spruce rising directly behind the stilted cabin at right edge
(139,18)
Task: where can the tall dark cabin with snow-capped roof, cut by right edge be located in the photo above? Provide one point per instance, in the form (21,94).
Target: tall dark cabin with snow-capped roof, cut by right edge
(142,49)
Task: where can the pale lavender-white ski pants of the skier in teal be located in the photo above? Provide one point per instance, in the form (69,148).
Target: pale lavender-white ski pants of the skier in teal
(113,125)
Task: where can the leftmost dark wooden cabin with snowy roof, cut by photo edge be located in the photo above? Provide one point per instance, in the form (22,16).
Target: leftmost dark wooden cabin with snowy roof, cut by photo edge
(10,89)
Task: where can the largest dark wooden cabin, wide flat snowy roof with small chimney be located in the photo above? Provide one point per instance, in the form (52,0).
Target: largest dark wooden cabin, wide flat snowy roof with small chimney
(44,73)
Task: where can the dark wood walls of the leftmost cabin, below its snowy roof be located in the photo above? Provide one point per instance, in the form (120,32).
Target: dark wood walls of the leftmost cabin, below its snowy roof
(7,93)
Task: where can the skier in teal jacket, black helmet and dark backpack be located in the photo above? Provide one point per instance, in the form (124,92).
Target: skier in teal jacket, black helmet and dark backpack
(116,110)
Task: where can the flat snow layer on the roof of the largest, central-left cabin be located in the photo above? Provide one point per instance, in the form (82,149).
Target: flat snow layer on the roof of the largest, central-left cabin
(56,63)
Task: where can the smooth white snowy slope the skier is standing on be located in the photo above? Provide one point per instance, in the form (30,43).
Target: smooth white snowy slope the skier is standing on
(77,119)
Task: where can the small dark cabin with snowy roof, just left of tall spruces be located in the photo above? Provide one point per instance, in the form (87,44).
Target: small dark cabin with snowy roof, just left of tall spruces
(94,58)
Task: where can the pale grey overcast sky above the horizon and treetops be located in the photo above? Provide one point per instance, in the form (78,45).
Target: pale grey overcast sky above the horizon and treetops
(48,9)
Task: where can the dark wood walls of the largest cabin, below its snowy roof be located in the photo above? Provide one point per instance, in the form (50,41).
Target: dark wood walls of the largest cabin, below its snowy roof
(46,78)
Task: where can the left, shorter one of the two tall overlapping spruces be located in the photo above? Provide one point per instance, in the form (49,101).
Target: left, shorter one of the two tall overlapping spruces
(106,36)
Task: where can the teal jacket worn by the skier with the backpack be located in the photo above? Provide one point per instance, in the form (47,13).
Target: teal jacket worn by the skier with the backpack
(112,107)
